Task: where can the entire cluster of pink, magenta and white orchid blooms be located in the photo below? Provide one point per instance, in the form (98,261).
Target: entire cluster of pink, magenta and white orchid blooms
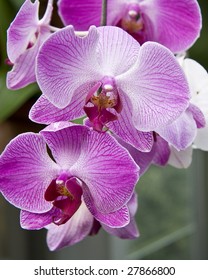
(141,100)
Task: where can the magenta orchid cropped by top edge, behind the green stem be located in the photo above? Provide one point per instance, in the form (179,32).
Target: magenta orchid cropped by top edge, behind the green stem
(175,24)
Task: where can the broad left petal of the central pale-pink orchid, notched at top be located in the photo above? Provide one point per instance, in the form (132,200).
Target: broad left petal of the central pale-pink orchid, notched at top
(75,62)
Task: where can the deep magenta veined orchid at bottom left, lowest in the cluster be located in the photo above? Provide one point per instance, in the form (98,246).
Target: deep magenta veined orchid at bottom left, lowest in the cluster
(90,176)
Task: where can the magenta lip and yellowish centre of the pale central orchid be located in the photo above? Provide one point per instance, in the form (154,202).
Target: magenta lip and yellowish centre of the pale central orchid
(102,103)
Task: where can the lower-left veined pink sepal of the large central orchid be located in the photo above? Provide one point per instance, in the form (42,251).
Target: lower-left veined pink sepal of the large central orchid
(45,112)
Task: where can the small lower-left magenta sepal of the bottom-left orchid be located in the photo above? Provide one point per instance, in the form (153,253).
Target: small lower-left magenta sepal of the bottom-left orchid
(32,221)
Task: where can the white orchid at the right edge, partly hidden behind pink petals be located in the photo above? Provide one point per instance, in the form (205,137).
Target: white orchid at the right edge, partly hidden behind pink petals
(198,81)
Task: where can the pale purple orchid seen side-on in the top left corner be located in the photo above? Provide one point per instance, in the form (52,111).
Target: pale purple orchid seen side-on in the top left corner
(24,38)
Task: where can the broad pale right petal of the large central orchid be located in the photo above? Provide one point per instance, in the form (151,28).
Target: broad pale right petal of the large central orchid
(156,87)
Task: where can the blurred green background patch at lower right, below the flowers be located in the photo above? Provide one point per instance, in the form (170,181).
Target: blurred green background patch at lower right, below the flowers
(164,215)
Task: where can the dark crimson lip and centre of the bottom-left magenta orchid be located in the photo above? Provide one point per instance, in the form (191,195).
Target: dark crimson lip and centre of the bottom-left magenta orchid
(65,194)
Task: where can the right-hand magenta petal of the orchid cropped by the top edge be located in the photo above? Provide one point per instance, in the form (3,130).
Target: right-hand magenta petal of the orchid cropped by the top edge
(174,24)
